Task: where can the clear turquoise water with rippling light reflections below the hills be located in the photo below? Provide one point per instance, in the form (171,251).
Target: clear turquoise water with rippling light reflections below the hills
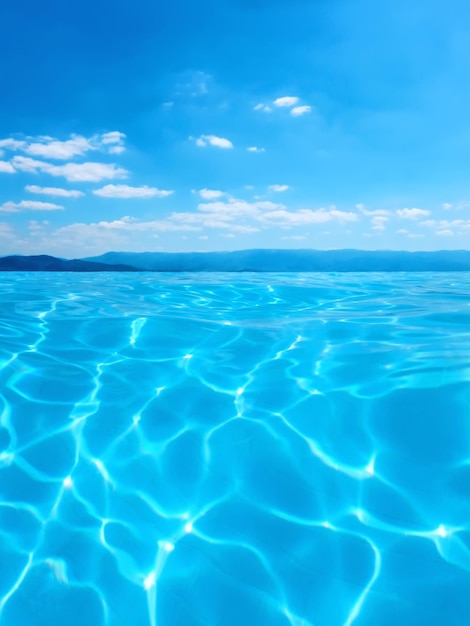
(235,450)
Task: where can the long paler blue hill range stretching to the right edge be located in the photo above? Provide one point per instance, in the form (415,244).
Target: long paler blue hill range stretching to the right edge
(291,261)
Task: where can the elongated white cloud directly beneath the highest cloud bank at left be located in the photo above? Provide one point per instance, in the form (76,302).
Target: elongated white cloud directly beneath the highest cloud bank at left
(73,172)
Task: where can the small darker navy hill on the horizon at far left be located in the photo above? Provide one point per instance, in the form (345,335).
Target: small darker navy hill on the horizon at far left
(45,263)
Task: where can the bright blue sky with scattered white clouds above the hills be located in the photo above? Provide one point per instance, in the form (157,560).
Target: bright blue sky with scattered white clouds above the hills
(234,124)
